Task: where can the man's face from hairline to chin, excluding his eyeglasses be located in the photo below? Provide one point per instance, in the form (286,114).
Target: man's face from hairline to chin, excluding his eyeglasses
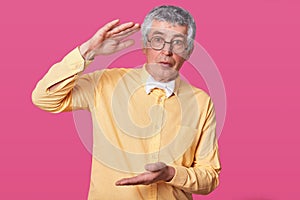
(163,65)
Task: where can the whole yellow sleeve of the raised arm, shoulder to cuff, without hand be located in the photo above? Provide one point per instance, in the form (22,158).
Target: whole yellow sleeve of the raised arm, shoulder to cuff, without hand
(63,88)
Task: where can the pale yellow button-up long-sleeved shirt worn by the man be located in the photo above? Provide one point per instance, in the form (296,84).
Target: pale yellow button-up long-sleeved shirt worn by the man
(132,128)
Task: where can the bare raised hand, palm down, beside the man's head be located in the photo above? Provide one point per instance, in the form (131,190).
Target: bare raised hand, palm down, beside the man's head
(109,39)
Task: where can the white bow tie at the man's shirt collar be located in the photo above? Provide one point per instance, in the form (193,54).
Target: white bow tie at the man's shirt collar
(168,87)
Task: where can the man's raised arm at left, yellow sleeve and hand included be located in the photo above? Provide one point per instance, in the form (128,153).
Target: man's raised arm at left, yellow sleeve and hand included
(63,88)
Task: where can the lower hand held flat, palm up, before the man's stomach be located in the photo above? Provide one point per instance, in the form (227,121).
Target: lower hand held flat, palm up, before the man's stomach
(154,172)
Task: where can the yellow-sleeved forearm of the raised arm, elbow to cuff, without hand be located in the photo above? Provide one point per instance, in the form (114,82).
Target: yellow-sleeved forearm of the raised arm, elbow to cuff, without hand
(53,91)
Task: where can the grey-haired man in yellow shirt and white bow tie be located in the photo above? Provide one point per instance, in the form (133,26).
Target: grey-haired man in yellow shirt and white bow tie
(153,133)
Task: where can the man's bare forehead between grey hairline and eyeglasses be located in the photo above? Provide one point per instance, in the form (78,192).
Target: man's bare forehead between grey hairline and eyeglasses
(167,29)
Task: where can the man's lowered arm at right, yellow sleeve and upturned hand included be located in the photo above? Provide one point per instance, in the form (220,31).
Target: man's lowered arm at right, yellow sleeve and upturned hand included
(201,178)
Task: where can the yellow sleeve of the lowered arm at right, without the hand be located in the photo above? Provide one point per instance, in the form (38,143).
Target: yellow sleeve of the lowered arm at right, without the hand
(203,176)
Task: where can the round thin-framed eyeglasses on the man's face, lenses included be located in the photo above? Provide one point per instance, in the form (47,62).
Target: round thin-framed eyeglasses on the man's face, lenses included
(176,46)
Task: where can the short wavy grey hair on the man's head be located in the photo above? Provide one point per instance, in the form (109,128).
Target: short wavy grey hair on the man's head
(174,15)
